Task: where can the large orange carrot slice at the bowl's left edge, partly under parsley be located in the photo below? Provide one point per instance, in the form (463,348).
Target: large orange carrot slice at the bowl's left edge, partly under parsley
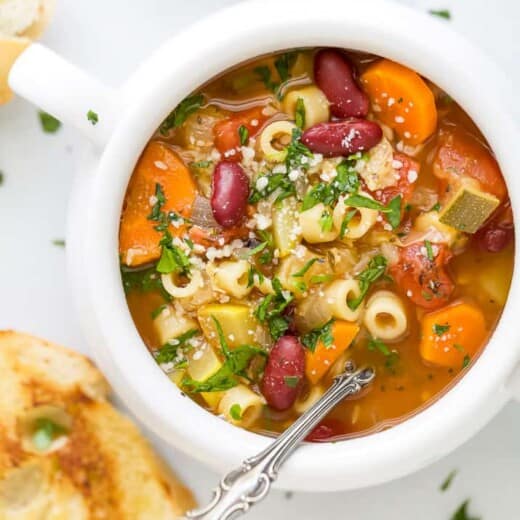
(159,164)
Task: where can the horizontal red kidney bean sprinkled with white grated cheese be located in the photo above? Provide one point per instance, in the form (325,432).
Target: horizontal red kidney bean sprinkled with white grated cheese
(342,137)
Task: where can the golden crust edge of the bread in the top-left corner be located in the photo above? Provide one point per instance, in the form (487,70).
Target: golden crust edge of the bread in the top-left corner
(12,45)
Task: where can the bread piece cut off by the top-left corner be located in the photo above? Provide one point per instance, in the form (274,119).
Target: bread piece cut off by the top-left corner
(21,22)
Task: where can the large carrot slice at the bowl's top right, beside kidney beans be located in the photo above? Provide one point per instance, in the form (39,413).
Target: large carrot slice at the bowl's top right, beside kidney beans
(402,99)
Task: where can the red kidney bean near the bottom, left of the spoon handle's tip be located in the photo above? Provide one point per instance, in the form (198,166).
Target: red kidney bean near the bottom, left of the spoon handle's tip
(284,372)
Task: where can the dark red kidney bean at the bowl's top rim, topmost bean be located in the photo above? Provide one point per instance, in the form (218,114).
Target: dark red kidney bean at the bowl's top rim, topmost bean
(335,76)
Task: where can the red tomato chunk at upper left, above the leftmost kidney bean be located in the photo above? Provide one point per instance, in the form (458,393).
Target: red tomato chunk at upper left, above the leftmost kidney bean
(226,132)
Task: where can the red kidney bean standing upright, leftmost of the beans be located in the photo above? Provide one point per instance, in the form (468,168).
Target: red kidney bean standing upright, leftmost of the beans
(230,193)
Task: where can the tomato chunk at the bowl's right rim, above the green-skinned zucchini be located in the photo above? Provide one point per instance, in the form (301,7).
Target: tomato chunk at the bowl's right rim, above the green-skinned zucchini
(459,155)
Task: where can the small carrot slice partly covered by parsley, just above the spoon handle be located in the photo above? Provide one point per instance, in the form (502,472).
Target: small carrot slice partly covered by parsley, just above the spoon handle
(317,363)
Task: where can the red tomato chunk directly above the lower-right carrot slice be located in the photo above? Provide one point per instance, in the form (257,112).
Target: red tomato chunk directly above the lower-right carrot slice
(424,279)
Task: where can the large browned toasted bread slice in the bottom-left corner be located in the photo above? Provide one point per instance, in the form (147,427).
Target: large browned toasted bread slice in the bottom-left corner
(98,466)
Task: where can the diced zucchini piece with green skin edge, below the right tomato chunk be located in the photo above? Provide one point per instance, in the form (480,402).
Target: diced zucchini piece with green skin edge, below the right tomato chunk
(468,209)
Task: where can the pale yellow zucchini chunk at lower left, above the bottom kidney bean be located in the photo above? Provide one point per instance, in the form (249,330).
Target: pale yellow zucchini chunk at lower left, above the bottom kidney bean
(236,321)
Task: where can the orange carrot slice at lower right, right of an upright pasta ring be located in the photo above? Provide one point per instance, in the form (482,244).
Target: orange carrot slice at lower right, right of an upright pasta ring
(451,335)
